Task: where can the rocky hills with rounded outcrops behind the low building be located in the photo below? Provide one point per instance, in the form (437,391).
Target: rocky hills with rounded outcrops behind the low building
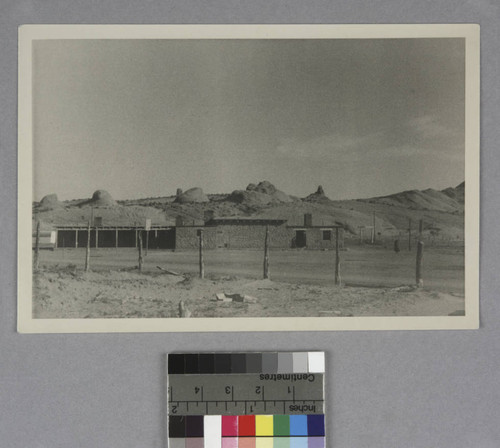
(442,211)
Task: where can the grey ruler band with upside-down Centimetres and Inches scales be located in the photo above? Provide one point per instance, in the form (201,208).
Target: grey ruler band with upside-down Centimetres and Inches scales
(245,394)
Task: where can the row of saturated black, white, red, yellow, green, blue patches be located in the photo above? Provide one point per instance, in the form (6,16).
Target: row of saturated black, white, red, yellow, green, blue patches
(221,426)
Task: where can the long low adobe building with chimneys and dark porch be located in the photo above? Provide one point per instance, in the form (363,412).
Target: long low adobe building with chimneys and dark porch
(218,233)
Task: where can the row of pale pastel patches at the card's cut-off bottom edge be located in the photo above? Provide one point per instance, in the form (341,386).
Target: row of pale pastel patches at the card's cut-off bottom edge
(248,442)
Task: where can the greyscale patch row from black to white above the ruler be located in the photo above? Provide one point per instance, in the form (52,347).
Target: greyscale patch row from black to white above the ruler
(267,362)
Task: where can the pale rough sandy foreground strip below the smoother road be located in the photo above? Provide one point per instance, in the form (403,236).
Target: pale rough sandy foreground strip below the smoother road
(72,293)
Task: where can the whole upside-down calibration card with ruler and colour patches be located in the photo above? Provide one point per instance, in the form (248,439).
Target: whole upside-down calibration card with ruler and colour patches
(246,400)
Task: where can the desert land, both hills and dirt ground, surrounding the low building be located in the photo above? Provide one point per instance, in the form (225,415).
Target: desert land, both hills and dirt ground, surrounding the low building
(376,280)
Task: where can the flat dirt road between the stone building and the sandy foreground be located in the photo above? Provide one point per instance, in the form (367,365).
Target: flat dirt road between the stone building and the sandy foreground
(365,266)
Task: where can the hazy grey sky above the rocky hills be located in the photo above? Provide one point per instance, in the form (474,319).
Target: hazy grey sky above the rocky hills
(141,118)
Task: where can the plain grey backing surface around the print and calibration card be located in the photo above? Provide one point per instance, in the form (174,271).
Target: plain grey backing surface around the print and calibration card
(385,389)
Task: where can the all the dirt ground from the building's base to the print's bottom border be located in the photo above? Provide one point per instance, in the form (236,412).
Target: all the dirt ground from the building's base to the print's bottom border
(302,285)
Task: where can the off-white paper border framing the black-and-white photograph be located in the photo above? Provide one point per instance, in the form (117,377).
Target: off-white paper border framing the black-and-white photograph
(29,33)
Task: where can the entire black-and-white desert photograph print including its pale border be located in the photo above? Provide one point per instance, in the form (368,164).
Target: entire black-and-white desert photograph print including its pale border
(211,178)
